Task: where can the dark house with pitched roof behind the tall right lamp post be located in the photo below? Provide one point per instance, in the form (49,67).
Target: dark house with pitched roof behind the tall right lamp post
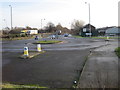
(88,30)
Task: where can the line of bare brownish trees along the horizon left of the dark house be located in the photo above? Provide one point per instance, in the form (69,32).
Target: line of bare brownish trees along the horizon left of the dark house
(76,26)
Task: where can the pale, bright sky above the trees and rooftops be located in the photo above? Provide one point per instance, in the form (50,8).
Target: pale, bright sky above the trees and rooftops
(30,12)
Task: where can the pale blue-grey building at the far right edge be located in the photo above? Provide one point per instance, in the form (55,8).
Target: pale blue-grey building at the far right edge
(114,31)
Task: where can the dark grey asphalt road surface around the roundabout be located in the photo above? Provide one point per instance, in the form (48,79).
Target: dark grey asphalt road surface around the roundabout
(57,68)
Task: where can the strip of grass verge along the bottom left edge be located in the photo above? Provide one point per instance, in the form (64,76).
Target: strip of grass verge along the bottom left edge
(7,85)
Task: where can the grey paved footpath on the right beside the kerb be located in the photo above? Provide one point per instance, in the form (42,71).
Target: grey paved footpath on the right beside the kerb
(101,68)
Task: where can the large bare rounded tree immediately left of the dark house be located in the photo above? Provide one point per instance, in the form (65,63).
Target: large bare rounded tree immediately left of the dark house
(77,26)
